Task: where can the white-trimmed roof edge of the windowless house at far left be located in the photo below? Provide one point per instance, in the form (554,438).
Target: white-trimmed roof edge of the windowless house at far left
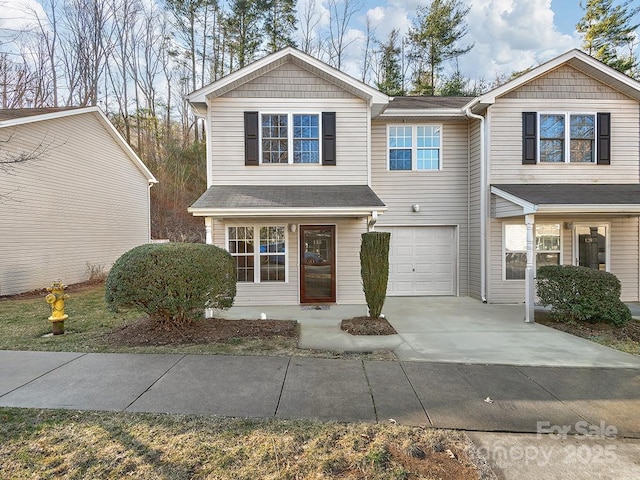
(22,116)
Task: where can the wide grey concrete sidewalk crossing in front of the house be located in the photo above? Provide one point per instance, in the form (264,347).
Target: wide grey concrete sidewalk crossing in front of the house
(418,393)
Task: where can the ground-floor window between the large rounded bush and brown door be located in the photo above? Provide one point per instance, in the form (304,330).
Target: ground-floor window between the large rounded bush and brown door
(263,264)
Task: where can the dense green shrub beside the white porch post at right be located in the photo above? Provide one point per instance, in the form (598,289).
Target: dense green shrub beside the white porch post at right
(581,293)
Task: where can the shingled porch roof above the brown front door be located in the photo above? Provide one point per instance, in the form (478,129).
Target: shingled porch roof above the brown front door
(298,196)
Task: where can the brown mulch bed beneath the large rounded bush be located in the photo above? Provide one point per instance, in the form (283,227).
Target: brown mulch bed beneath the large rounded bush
(146,332)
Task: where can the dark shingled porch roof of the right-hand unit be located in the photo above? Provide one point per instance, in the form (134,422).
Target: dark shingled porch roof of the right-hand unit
(575,194)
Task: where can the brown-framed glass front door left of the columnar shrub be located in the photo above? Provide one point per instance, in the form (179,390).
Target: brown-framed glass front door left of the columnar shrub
(317,264)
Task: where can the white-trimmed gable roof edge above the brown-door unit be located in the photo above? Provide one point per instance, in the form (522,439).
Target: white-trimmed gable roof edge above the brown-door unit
(198,99)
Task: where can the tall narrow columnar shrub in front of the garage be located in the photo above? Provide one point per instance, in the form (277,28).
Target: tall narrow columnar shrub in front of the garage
(374,269)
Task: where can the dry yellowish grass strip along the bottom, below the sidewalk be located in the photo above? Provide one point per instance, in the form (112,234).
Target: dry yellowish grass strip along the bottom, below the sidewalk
(37,444)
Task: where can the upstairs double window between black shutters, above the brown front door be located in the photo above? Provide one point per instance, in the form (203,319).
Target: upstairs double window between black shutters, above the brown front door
(281,144)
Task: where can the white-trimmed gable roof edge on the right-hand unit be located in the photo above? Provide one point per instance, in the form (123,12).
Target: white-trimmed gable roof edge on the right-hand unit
(574,58)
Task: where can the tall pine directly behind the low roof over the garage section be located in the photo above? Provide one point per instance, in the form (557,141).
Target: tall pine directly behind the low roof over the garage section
(435,37)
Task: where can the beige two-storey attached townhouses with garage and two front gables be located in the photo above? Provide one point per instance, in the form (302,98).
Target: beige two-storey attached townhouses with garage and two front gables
(302,159)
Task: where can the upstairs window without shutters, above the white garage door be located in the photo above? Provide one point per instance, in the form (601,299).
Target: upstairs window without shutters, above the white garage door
(415,147)
